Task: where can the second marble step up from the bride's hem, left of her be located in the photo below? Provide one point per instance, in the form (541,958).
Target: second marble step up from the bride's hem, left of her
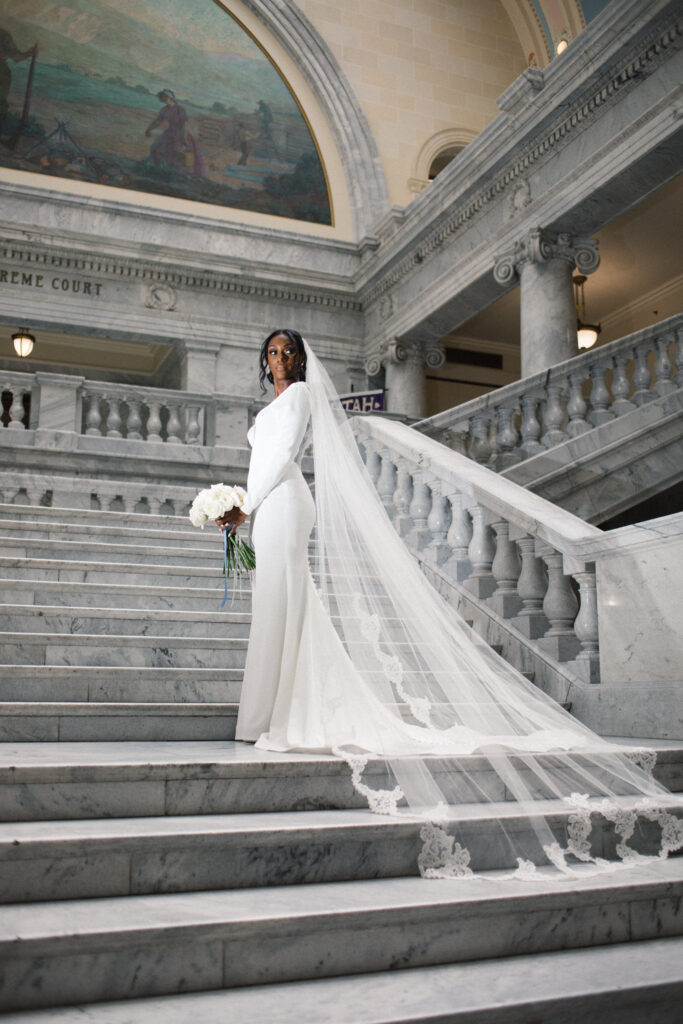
(92,684)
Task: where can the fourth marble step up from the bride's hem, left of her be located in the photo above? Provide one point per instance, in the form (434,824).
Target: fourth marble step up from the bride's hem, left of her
(116,622)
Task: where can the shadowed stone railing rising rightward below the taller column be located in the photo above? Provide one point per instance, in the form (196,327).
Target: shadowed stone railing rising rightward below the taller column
(530,416)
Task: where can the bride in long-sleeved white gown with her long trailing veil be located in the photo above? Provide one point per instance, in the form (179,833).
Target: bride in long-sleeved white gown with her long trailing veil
(373,667)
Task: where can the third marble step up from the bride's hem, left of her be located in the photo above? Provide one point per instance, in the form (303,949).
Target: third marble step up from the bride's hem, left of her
(144,652)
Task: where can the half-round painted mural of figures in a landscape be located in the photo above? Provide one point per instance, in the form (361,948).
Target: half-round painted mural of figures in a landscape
(166,97)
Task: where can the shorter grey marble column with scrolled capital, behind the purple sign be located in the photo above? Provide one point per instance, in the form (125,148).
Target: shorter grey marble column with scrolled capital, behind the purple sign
(405,365)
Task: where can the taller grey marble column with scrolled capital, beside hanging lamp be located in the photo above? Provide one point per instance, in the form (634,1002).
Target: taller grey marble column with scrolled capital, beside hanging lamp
(545,262)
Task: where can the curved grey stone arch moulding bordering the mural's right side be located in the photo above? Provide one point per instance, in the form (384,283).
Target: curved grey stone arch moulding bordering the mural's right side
(358,150)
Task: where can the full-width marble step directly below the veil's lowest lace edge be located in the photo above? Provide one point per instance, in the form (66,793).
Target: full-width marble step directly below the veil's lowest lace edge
(114,949)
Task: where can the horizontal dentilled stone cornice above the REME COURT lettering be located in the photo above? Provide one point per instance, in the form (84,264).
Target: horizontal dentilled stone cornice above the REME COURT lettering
(164,279)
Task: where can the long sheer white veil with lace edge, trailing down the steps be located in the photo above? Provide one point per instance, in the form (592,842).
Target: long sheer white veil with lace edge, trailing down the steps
(467,730)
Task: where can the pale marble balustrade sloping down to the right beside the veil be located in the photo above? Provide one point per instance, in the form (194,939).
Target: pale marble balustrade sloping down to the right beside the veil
(511,552)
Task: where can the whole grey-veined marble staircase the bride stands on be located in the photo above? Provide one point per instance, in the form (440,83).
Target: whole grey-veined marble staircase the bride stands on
(153,869)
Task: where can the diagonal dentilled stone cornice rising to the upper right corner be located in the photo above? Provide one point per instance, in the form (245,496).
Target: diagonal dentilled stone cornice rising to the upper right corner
(622,75)
